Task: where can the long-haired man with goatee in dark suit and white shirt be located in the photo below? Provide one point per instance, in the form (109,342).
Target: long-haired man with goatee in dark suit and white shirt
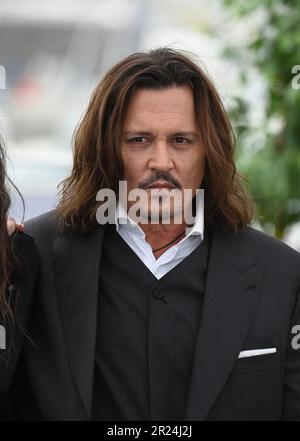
(179,320)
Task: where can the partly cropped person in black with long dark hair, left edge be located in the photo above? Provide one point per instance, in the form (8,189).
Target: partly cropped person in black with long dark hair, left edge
(18,271)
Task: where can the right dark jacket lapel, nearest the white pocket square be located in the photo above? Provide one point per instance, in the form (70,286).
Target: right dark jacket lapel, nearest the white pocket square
(231,298)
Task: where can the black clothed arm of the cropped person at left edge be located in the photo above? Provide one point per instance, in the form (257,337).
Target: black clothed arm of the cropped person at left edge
(15,335)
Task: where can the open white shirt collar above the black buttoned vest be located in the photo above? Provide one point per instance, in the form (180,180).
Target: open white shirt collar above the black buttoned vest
(134,236)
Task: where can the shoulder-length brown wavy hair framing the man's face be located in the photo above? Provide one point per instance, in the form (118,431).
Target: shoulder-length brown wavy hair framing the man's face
(96,142)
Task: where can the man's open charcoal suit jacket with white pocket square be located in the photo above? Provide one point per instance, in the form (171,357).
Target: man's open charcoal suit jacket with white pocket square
(251,302)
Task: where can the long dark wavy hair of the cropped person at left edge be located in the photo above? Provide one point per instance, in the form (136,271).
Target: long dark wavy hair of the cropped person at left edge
(9,263)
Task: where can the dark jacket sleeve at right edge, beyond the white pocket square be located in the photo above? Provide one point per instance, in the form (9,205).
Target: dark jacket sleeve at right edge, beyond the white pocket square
(291,393)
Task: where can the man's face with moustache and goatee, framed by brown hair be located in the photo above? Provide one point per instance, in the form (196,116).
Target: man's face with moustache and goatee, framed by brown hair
(161,142)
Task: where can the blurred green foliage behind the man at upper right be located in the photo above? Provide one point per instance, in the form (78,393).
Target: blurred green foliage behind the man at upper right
(271,164)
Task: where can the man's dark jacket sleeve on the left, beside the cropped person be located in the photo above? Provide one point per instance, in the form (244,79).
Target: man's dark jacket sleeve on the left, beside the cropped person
(25,405)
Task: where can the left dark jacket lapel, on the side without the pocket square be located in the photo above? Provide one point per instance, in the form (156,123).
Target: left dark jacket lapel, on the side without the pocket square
(76,263)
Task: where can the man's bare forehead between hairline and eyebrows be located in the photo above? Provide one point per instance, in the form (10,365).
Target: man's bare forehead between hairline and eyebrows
(169,106)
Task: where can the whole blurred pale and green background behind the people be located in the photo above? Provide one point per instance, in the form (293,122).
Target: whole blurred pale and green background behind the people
(54,52)
